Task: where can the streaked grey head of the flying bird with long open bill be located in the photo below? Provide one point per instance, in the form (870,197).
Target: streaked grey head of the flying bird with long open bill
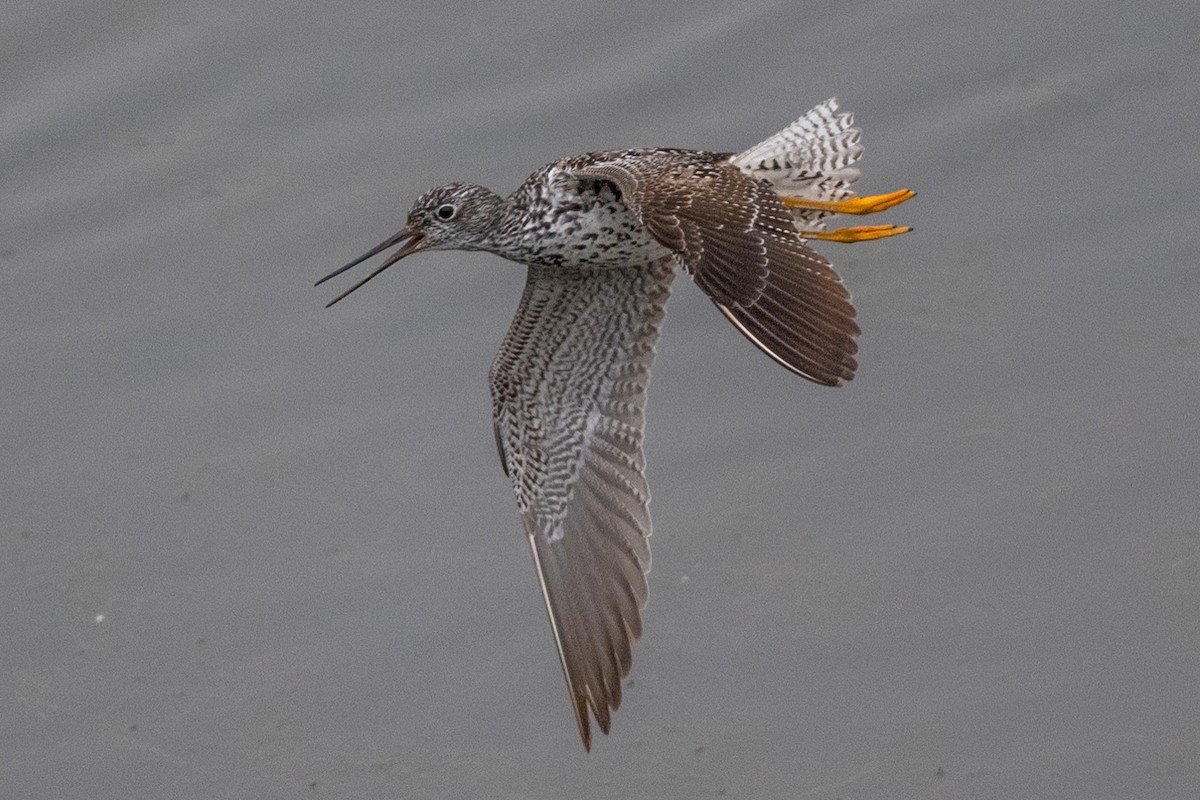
(457,216)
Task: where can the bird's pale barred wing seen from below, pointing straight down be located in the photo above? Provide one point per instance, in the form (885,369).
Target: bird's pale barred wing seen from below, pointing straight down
(569,399)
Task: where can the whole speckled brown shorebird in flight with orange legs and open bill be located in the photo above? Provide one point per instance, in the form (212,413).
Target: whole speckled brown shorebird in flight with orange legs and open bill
(603,237)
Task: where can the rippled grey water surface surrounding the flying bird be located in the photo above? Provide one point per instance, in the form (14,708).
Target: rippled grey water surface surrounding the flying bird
(255,549)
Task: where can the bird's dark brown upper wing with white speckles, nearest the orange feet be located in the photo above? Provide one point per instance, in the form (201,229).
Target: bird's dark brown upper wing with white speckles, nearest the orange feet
(741,246)
